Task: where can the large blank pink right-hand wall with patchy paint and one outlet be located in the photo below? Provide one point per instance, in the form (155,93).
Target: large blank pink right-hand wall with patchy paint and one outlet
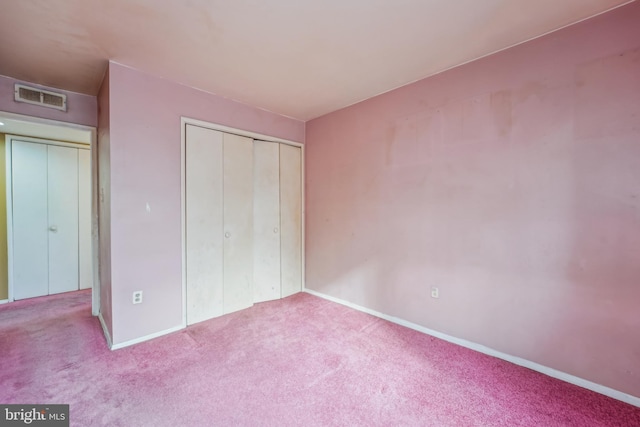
(511,183)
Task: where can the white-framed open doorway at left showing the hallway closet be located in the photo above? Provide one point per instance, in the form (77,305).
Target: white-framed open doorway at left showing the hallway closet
(58,163)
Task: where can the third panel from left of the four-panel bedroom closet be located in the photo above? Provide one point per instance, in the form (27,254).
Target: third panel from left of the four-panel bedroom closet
(266,221)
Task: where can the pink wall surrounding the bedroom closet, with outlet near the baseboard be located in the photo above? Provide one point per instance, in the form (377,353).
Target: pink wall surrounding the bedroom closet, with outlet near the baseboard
(144,170)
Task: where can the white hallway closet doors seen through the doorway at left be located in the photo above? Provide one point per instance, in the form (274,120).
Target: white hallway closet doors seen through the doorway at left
(50,226)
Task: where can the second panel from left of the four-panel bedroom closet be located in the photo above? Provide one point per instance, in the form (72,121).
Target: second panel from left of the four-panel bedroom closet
(238,222)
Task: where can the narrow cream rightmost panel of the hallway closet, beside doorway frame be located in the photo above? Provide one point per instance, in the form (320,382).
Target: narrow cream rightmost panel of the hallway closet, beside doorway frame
(84,219)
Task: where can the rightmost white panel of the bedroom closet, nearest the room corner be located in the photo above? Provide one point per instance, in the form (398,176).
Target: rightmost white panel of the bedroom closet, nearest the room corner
(291,218)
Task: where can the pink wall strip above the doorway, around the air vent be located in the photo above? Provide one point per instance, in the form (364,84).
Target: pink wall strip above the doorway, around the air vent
(81,109)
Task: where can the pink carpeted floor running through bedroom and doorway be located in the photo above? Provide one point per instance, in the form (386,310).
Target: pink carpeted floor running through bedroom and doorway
(301,361)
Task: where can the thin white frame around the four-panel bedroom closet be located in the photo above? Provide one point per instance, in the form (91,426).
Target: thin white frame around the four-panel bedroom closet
(184,121)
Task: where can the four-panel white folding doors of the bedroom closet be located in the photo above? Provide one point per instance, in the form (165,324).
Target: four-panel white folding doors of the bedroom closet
(243,221)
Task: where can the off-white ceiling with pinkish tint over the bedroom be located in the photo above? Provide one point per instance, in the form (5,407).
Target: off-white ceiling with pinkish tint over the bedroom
(300,58)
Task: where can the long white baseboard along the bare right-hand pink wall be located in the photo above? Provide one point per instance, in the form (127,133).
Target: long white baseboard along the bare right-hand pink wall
(554,373)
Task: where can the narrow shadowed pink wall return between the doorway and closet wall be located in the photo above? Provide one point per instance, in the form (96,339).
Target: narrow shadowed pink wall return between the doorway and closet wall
(104,202)
